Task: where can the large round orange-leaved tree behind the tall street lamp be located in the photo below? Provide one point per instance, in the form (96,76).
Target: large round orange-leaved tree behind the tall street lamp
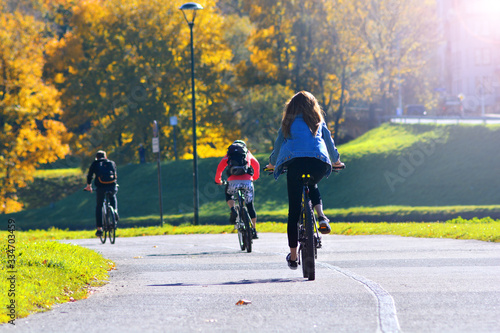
(123,64)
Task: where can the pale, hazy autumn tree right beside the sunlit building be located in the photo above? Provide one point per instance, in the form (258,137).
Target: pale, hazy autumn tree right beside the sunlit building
(399,37)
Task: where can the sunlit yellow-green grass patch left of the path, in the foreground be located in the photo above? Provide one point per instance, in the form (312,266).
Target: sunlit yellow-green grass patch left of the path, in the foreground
(46,273)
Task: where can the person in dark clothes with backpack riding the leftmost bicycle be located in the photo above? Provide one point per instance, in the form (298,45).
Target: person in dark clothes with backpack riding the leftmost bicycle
(105,180)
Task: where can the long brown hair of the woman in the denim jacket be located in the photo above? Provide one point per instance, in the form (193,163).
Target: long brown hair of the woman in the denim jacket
(306,104)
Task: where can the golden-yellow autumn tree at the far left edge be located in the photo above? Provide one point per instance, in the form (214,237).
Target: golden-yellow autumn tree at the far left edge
(31,132)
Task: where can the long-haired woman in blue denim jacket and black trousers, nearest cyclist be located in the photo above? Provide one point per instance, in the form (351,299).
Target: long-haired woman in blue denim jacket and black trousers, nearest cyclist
(304,145)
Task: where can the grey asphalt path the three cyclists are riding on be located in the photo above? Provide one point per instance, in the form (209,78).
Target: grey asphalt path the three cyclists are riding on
(191,283)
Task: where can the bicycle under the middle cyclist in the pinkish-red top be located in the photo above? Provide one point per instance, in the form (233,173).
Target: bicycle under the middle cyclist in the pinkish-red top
(243,221)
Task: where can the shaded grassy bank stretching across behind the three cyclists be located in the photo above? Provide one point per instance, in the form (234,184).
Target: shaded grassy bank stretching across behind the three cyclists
(394,173)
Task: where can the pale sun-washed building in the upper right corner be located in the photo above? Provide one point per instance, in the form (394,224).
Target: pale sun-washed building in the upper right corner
(470,56)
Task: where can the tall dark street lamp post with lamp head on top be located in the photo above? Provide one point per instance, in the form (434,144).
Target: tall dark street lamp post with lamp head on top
(191,8)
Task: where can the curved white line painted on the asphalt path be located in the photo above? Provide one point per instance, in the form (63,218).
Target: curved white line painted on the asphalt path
(387,316)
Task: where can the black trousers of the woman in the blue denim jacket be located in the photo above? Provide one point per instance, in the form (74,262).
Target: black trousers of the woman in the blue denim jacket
(317,169)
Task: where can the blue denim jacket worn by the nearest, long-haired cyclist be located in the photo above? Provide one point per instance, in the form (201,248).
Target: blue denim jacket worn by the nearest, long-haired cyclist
(302,143)
